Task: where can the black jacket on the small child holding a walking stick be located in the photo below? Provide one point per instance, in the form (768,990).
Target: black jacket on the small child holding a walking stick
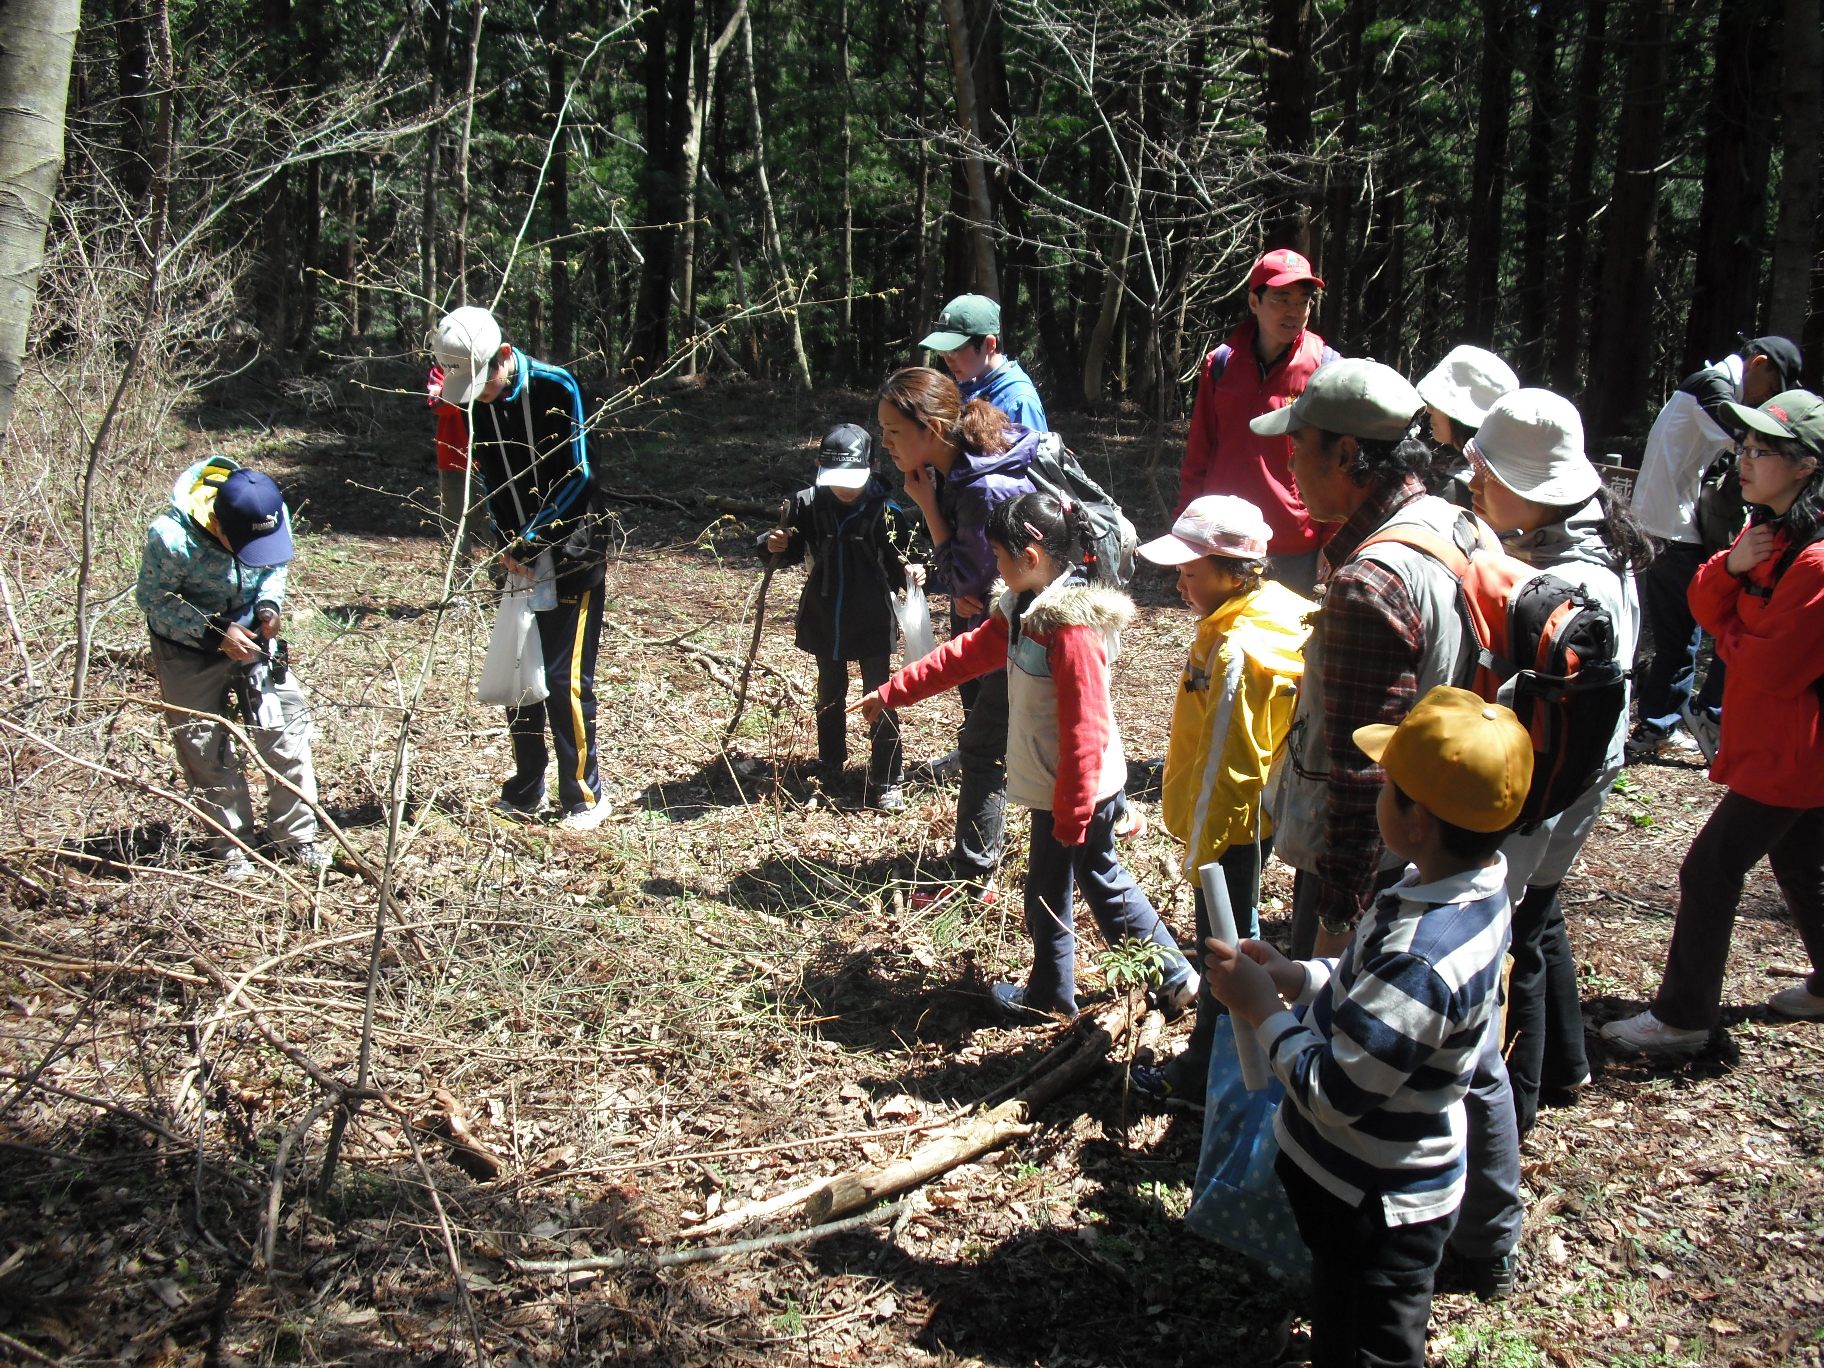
(858,563)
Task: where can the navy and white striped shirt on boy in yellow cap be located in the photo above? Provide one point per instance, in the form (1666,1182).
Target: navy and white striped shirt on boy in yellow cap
(1378,1066)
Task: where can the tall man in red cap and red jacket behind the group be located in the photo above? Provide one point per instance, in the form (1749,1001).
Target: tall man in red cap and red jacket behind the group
(1274,355)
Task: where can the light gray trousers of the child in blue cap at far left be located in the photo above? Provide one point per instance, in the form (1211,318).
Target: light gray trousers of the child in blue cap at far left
(212,762)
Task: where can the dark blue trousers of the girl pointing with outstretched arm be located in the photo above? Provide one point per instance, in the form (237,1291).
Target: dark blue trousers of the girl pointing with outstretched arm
(1092,869)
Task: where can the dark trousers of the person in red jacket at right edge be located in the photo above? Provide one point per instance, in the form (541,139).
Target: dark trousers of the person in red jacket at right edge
(1710,889)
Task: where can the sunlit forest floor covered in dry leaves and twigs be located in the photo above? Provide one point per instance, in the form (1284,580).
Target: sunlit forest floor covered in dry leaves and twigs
(716,999)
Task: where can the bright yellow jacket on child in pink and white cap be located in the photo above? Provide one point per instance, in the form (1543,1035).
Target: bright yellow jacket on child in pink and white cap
(1230,720)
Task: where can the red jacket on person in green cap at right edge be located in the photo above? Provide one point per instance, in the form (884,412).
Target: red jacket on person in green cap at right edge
(1772,736)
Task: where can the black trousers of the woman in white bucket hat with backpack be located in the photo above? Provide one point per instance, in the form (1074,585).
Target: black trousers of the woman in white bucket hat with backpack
(1544,1011)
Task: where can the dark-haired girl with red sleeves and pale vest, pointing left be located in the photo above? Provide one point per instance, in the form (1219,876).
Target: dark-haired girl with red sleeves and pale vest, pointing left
(1055,636)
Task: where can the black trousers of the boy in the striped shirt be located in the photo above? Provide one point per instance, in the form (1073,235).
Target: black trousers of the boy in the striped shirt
(1371,1281)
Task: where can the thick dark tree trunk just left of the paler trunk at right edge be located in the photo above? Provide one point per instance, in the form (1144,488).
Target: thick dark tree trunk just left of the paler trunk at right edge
(1737,147)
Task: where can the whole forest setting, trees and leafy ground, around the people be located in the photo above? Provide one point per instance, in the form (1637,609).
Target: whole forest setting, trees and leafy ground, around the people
(512,1093)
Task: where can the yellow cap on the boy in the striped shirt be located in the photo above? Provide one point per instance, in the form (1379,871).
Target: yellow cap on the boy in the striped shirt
(1466,760)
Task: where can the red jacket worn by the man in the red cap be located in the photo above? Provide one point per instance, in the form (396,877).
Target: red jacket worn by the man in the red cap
(1225,457)
